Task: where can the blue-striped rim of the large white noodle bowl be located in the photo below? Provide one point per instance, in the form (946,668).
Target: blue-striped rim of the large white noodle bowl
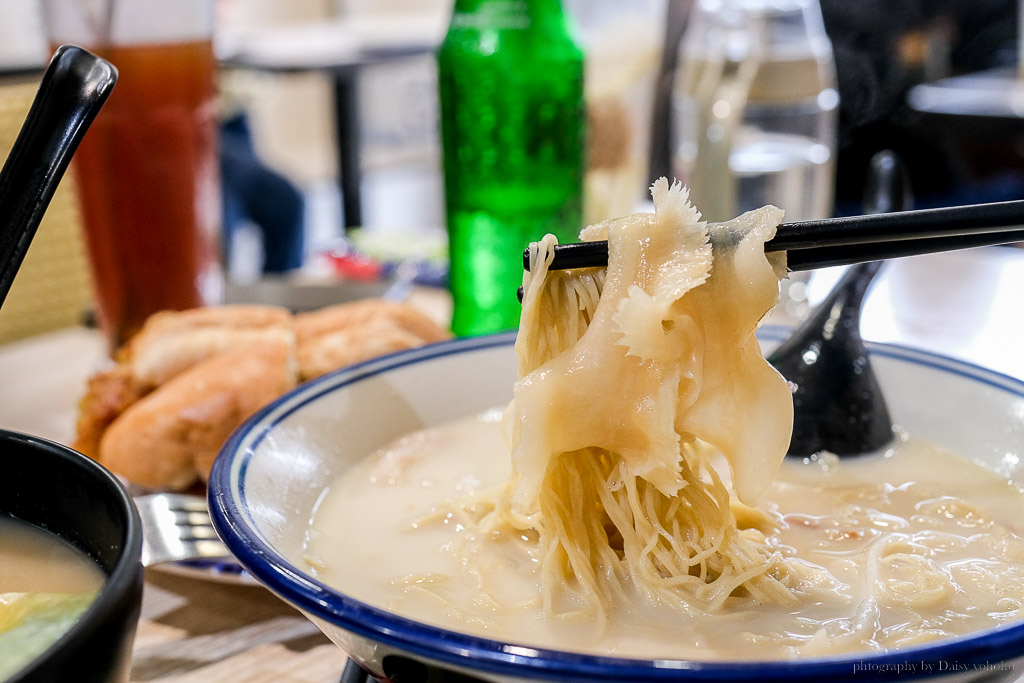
(974,652)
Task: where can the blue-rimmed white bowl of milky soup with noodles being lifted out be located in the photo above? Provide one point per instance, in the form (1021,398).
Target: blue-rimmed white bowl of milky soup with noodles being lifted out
(603,496)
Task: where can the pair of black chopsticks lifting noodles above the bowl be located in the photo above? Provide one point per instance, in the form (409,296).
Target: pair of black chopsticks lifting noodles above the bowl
(816,244)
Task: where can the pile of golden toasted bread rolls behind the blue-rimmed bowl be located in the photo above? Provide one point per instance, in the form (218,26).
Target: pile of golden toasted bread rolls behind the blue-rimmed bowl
(161,414)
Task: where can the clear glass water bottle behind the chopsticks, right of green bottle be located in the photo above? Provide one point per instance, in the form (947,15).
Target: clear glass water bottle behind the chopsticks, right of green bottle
(754,115)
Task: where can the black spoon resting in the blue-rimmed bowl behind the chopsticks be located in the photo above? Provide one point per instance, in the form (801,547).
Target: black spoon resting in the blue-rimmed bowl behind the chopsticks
(838,404)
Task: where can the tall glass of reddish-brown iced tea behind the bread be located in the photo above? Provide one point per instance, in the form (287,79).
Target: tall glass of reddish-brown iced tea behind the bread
(147,170)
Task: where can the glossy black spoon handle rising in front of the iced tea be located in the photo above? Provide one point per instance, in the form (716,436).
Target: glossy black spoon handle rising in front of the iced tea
(73,90)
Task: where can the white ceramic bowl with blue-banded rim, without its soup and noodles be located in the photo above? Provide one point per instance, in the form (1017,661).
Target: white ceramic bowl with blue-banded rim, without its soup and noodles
(272,473)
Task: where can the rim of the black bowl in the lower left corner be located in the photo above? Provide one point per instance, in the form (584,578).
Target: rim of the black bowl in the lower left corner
(127,573)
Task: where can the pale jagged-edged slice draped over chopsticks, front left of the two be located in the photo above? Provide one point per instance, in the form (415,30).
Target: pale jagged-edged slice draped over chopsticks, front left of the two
(599,393)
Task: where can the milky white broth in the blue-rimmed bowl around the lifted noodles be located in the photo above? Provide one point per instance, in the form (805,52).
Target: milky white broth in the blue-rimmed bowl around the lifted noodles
(897,549)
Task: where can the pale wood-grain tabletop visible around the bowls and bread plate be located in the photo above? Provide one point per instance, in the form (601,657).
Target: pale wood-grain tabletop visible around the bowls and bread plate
(966,305)
